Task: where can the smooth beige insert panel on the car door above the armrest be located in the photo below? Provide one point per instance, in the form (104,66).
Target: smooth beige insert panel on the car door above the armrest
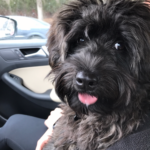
(35,78)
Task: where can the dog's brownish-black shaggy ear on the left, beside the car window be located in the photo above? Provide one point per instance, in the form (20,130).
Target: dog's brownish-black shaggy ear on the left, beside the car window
(57,45)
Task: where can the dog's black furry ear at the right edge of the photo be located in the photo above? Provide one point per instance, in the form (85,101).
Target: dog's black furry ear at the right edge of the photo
(140,14)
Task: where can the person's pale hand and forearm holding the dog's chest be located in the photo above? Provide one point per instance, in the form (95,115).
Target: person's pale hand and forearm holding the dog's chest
(54,116)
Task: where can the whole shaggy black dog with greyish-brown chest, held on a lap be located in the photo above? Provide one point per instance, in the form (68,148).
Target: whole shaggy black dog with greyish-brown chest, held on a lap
(100,56)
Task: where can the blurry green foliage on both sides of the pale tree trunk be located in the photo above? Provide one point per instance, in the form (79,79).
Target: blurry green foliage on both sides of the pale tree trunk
(29,7)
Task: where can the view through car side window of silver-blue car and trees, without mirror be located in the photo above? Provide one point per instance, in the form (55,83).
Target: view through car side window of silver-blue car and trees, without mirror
(34,17)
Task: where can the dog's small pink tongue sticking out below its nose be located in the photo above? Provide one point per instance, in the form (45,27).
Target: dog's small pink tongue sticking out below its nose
(87,99)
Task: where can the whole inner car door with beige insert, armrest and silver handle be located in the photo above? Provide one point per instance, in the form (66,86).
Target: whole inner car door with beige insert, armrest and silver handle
(25,87)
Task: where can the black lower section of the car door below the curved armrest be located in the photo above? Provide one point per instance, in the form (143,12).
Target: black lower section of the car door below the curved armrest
(13,103)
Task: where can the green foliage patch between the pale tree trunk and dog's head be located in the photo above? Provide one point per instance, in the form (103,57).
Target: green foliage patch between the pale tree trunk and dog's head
(51,6)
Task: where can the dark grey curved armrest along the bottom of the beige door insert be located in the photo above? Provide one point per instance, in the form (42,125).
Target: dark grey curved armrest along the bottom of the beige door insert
(39,99)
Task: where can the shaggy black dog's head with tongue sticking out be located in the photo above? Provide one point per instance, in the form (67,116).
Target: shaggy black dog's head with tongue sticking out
(100,53)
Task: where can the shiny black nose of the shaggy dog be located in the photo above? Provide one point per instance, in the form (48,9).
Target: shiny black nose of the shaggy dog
(85,81)
